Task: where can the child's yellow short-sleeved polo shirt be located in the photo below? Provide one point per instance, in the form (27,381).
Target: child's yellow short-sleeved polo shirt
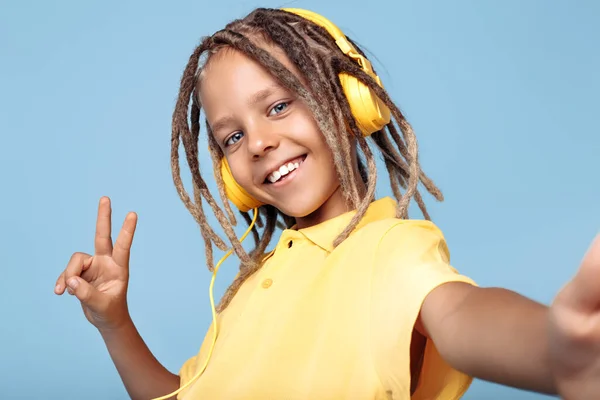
(322,323)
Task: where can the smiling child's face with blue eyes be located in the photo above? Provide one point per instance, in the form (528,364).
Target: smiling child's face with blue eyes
(272,143)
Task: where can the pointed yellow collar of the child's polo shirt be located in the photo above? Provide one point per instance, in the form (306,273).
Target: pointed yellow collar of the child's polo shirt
(324,234)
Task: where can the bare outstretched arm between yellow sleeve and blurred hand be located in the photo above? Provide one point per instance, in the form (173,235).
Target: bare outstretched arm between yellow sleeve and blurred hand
(500,336)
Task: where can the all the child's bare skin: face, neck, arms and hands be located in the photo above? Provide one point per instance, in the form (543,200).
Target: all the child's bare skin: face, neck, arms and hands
(489,333)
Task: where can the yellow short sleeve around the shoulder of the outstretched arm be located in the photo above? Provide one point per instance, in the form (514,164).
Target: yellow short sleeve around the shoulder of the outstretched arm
(411,260)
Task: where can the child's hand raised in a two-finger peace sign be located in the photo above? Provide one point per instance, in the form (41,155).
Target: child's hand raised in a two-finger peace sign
(100,281)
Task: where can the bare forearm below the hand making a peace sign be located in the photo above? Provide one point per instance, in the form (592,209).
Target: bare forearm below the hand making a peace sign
(143,376)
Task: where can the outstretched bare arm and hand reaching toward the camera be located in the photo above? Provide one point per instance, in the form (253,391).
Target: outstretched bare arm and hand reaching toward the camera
(500,336)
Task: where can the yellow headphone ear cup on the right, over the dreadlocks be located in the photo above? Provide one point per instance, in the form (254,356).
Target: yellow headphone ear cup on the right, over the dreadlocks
(370,113)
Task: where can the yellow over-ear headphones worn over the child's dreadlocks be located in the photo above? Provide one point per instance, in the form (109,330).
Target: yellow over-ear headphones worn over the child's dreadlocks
(370,113)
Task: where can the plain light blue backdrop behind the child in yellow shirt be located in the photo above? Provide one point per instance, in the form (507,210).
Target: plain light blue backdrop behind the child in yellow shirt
(503,96)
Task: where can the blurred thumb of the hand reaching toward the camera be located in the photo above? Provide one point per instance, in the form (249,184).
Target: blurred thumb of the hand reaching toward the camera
(585,286)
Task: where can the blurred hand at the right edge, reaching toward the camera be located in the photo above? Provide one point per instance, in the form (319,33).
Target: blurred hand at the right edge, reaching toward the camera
(575,331)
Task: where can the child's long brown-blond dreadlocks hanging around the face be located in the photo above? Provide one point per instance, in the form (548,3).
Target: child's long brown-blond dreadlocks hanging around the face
(316,56)
